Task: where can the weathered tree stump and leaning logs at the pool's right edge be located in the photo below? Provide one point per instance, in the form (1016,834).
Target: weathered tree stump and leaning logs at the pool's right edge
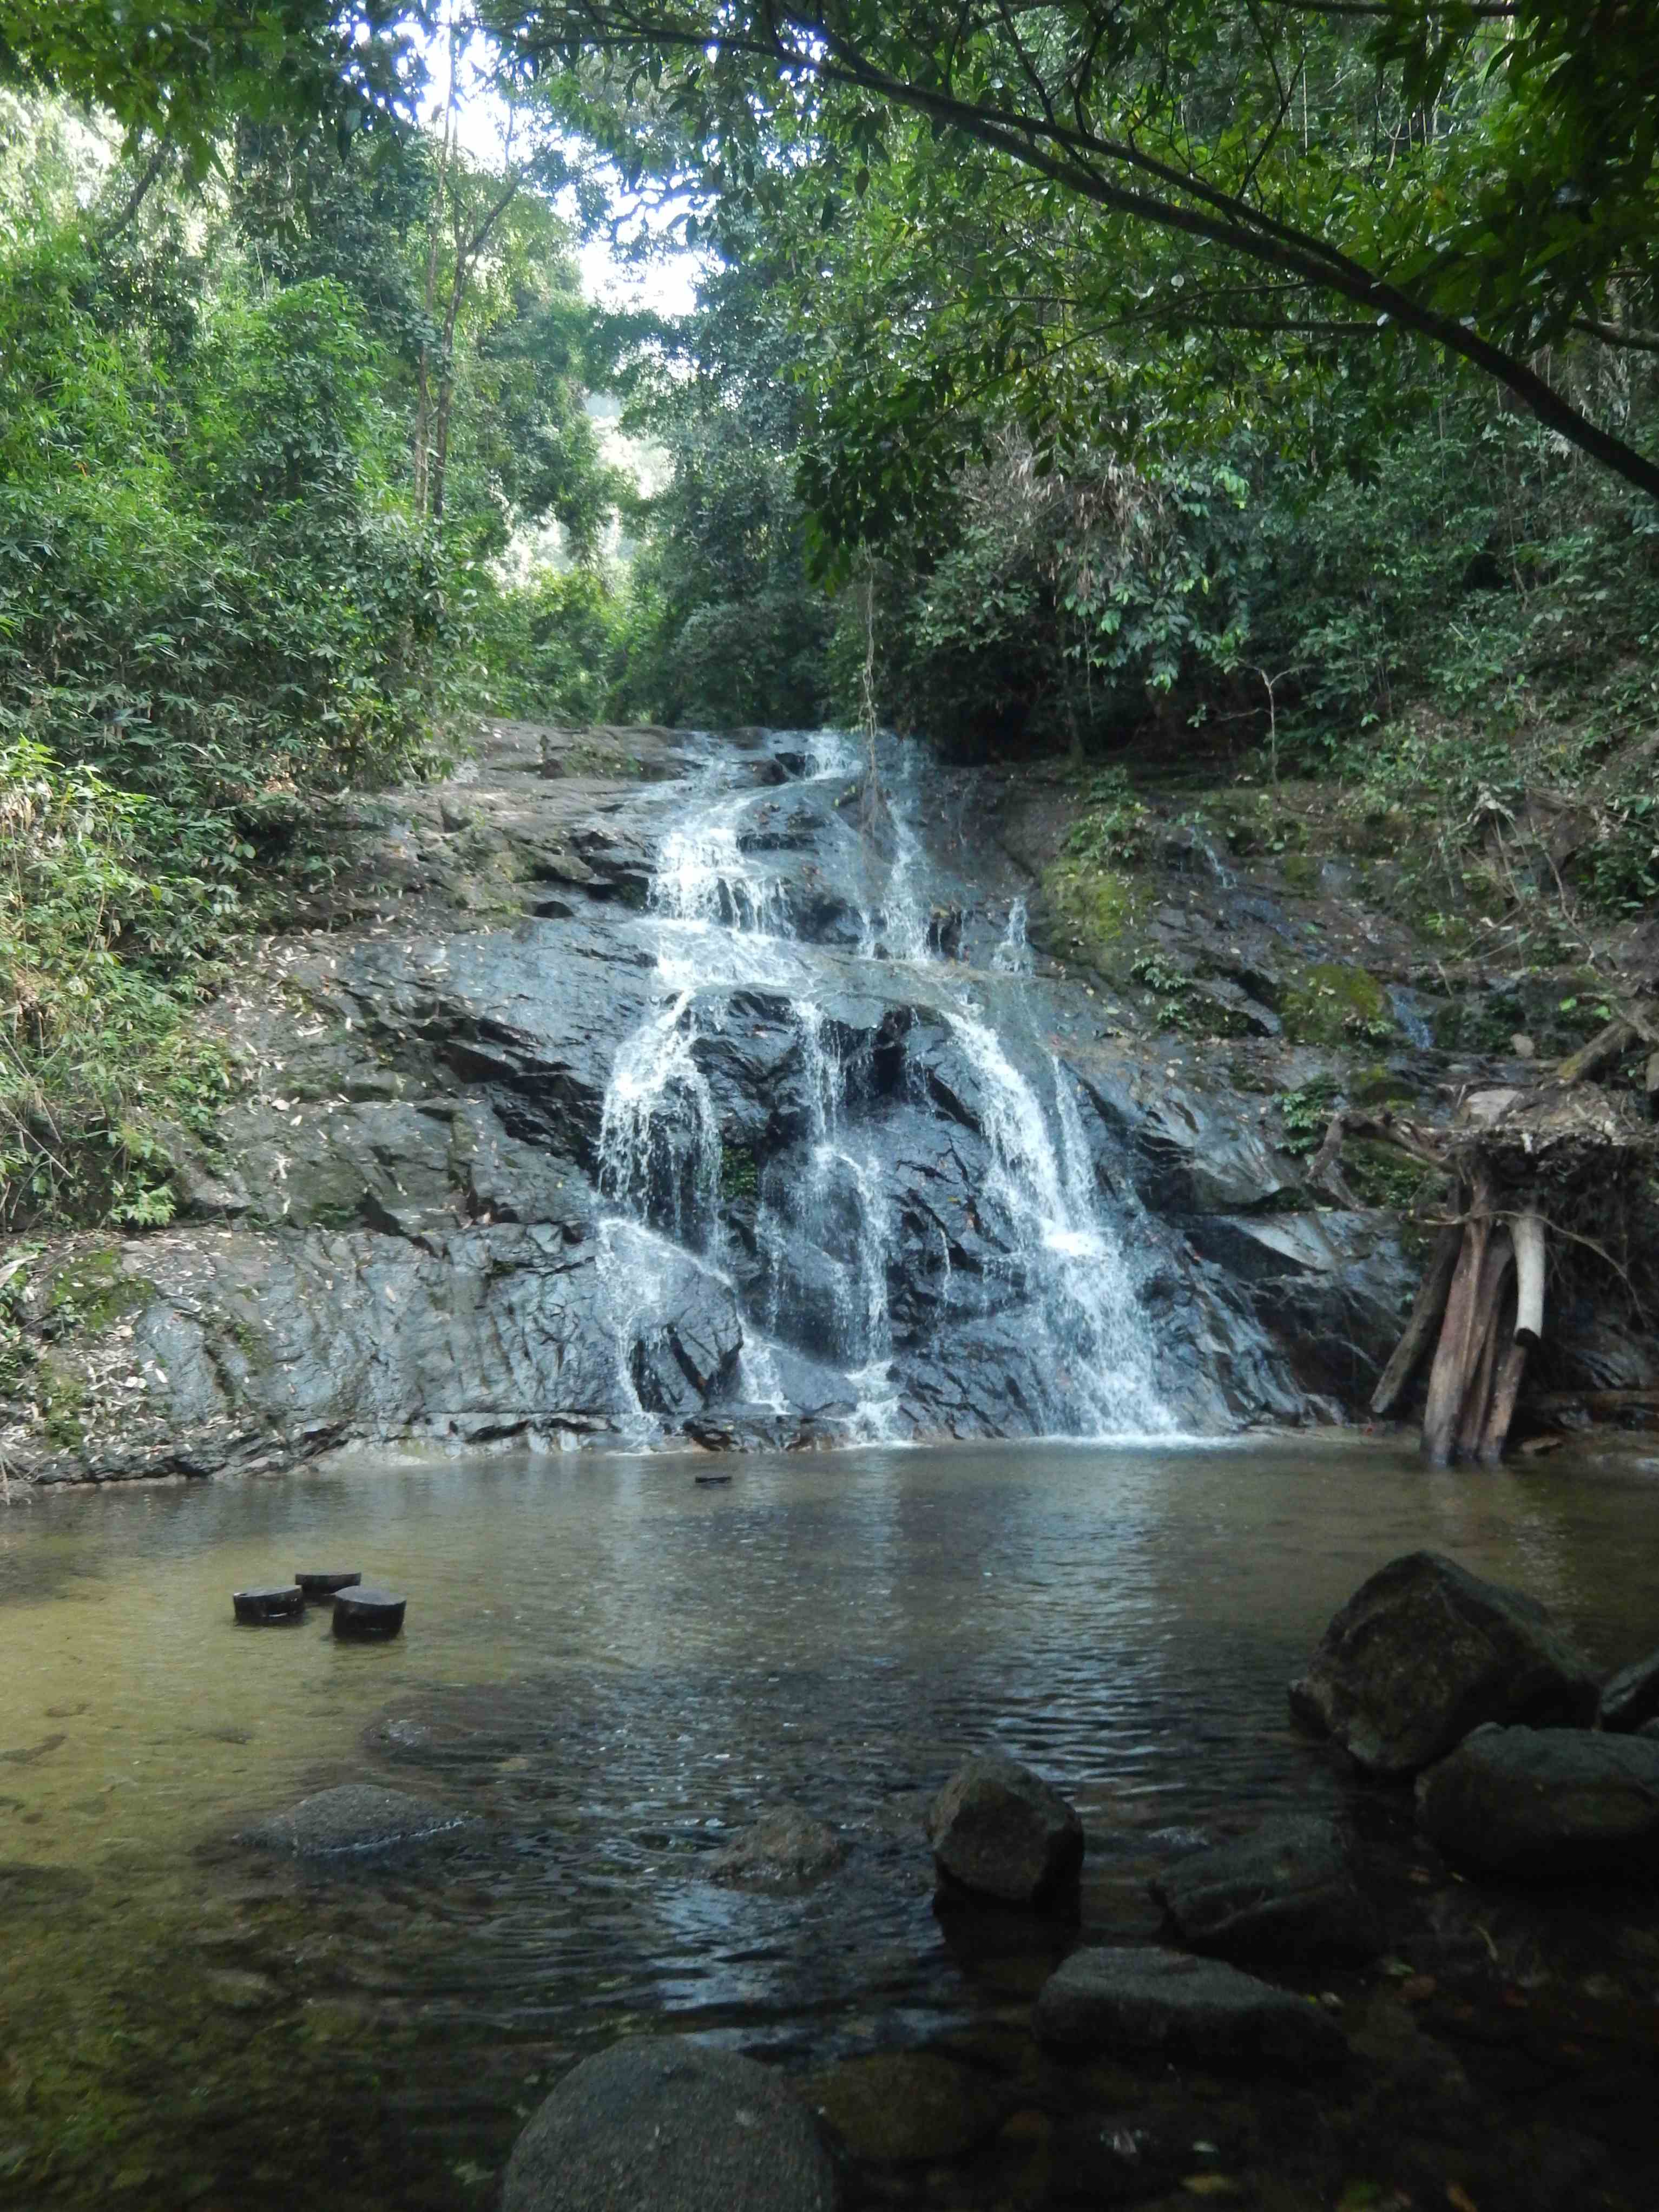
(1523,1169)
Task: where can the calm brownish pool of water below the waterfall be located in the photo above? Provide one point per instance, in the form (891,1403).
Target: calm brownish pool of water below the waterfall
(618,1667)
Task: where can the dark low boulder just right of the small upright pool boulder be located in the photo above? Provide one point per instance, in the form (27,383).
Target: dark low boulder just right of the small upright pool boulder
(1284,1892)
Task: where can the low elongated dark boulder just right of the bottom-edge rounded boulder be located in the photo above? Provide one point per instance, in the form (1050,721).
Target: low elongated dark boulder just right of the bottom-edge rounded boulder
(1162,2003)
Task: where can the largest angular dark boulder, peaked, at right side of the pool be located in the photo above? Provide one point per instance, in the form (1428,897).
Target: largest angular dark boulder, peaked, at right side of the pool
(1423,1653)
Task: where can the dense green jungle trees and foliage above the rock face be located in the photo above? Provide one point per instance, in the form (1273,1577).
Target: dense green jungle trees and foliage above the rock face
(1200,377)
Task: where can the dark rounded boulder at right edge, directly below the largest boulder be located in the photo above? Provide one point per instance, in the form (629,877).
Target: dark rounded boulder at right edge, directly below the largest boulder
(1547,1804)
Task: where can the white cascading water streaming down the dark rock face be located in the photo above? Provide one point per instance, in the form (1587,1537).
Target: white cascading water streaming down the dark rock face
(811,1238)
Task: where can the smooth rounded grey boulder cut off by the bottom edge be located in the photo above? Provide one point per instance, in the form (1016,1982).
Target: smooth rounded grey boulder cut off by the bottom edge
(662,2125)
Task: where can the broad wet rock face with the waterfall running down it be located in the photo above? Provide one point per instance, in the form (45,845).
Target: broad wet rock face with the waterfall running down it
(638,1085)
